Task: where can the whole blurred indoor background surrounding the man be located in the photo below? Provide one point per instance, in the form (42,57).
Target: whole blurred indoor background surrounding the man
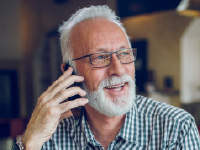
(166,34)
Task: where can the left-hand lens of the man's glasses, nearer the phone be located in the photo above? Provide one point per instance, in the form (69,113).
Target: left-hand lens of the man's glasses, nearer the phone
(100,59)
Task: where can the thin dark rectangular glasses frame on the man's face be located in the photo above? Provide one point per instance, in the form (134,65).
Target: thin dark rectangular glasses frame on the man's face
(89,55)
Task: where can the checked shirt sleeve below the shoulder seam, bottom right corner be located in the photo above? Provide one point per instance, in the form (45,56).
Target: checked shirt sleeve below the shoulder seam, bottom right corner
(189,138)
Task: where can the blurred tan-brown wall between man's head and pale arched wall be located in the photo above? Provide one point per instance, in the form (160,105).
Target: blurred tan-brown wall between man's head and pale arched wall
(163,31)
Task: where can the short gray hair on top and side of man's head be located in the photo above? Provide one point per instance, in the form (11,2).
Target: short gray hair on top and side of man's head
(91,12)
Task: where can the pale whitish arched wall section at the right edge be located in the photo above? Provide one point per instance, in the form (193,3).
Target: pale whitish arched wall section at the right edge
(190,60)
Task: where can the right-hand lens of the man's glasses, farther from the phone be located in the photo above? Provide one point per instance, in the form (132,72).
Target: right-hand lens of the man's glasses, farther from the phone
(126,55)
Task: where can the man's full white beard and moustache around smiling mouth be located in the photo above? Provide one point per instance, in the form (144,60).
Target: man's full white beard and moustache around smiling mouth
(114,106)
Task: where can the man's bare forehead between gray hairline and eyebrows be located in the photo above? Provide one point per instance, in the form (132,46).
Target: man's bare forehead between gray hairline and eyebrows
(92,34)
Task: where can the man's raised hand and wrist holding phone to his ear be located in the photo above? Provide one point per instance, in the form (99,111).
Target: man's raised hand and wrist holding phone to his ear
(49,110)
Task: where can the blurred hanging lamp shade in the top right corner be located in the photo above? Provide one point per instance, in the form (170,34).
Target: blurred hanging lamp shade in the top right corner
(189,8)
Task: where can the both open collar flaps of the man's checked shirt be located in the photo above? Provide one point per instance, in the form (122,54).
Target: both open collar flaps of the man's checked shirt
(129,131)
